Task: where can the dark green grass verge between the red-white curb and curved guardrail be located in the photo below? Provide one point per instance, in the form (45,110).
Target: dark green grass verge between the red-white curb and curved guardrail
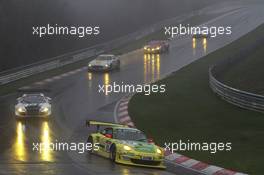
(191,111)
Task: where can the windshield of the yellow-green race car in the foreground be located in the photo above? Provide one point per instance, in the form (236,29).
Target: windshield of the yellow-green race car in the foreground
(129,134)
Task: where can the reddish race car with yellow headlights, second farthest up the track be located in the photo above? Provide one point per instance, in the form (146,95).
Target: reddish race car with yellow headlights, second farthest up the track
(157,47)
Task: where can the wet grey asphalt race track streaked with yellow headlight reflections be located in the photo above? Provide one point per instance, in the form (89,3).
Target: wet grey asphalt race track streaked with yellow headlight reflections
(76,99)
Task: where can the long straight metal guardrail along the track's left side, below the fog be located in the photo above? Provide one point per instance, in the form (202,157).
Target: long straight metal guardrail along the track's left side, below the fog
(72,57)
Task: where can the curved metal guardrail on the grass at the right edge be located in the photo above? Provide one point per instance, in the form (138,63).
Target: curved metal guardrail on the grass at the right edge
(237,97)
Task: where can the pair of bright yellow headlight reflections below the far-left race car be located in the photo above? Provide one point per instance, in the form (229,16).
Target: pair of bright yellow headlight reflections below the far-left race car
(27,133)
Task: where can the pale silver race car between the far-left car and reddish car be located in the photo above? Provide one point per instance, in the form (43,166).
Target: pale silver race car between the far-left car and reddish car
(104,63)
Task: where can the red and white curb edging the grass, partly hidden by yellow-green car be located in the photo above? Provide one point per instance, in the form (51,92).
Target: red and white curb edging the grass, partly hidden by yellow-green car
(122,116)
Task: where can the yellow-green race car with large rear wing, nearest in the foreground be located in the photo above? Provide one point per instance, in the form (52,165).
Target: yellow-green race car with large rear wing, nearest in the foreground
(125,145)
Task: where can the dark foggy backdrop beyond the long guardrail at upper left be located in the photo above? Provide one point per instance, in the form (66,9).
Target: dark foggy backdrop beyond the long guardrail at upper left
(115,17)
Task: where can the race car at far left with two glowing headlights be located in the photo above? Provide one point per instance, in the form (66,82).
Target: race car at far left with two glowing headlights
(33,105)
